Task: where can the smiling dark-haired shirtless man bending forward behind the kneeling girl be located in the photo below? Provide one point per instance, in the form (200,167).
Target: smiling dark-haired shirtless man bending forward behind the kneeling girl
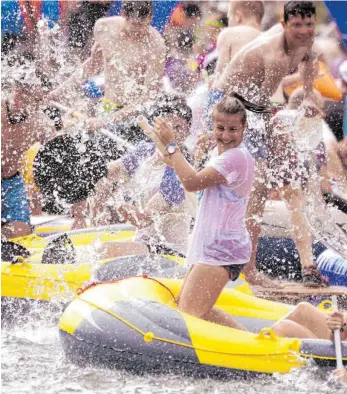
(256,72)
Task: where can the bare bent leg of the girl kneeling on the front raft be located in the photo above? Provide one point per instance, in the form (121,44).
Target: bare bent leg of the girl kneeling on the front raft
(200,292)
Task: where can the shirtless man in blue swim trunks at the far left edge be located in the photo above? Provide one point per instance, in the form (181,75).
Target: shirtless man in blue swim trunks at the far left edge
(22,125)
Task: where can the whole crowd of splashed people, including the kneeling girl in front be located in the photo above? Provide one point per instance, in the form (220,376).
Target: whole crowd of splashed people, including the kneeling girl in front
(214,87)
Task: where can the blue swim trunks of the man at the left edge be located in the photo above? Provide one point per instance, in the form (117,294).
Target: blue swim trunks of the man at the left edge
(15,207)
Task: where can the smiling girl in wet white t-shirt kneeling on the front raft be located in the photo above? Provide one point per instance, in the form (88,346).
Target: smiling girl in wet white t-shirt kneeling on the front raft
(220,244)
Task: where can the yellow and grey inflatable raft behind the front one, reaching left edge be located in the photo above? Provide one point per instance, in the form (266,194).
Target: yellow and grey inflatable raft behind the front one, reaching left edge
(34,280)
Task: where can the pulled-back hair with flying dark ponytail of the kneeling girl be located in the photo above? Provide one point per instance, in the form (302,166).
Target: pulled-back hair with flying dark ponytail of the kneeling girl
(236,104)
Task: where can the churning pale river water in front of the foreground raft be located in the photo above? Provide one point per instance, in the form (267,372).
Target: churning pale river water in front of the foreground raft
(33,362)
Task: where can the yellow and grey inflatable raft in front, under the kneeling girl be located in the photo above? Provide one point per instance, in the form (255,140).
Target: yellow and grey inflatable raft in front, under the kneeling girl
(135,324)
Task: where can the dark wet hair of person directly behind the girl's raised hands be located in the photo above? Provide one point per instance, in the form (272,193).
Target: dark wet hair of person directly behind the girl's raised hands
(171,105)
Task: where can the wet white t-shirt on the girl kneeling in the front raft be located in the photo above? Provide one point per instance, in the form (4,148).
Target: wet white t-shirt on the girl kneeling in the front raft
(220,236)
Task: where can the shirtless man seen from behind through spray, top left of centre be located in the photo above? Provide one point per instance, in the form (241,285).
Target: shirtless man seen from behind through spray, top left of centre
(132,55)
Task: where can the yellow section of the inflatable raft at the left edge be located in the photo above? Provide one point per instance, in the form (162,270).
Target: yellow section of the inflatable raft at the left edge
(30,279)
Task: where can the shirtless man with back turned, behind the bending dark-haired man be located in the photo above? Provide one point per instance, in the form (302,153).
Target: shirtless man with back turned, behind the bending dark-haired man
(244,21)
